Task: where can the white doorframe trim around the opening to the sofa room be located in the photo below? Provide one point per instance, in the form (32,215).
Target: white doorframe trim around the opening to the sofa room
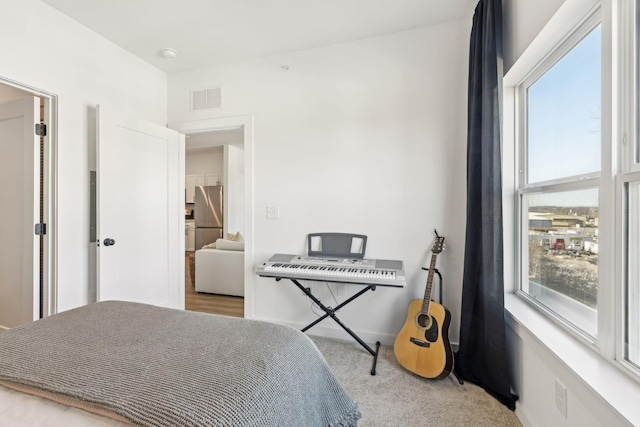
(246,123)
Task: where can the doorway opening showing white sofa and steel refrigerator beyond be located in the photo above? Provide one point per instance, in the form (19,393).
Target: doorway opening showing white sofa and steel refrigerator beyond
(214,158)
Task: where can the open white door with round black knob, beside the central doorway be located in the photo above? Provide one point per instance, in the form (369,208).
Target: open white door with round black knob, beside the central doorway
(140,205)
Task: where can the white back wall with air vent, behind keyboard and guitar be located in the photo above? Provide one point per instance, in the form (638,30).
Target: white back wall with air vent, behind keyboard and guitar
(366,137)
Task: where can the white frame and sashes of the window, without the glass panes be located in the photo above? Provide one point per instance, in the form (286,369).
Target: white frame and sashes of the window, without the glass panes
(620,165)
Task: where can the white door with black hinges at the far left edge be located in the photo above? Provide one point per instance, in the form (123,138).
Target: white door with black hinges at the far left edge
(19,212)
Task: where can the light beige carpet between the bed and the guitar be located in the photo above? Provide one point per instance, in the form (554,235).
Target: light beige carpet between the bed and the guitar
(397,397)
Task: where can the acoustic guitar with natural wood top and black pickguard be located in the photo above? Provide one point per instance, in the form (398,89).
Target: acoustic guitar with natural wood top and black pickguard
(422,346)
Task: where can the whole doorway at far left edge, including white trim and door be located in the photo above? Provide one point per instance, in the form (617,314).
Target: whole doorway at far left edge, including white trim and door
(27,149)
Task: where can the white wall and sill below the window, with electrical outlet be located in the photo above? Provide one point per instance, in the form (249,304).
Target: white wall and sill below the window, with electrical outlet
(597,393)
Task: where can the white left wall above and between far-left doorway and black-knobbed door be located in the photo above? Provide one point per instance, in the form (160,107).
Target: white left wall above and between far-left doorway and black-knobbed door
(46,50)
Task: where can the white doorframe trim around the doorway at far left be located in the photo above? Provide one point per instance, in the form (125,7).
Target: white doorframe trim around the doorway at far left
(49,257)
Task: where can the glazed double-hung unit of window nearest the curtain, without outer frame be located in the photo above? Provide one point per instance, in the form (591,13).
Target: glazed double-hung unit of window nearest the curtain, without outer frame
(560,135)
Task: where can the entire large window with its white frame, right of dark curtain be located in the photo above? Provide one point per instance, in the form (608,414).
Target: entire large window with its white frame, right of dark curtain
(578,183)
